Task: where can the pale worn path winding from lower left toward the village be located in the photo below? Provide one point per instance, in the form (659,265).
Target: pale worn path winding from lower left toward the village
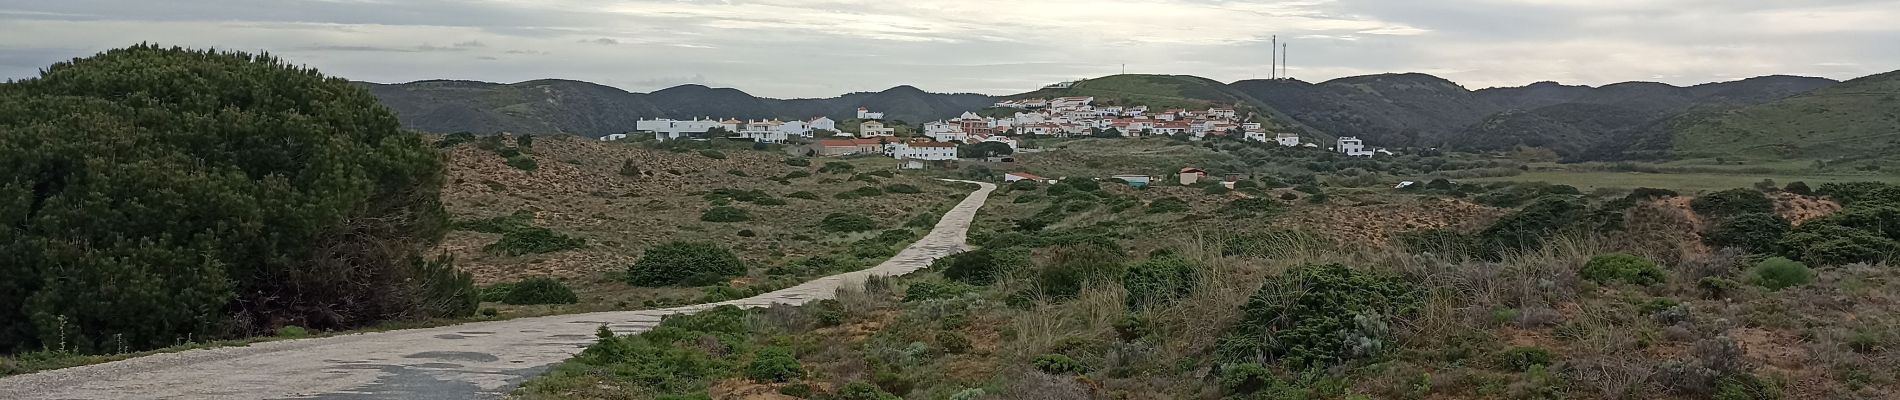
(465,361)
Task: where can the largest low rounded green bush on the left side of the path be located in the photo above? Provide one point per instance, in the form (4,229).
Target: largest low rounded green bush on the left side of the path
(689,264)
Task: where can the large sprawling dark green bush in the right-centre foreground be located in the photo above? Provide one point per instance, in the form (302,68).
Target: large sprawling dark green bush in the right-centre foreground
(1318,316)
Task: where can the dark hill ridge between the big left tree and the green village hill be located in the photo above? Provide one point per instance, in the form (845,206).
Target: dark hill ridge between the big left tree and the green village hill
(596,111)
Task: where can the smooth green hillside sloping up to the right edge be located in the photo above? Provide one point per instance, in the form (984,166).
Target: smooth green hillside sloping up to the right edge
(1857,118)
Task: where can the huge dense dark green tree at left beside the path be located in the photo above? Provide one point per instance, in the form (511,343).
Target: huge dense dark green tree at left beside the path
(157,194)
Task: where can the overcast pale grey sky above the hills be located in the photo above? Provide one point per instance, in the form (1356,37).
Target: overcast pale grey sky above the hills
(822,48)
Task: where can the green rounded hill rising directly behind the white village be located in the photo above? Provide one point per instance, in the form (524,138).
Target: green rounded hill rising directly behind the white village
(1173,92)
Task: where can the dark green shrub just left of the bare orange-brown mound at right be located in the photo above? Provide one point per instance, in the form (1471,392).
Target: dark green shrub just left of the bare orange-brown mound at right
(1529,228)
